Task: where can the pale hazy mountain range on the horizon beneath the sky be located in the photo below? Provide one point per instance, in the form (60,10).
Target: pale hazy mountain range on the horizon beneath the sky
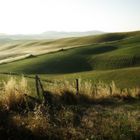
(48,35)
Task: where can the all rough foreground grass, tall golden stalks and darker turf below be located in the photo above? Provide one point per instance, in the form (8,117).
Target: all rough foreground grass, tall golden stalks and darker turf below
(67,120)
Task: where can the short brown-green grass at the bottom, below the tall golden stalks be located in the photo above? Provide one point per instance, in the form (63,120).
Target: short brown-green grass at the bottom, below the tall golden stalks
(96,122)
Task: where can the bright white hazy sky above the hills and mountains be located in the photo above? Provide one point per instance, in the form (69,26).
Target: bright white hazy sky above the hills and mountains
(36,16)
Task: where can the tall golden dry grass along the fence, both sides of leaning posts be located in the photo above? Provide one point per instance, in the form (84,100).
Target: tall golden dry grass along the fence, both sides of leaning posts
(13,92)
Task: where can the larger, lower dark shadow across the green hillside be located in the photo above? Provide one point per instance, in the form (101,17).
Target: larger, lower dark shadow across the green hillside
(66,65)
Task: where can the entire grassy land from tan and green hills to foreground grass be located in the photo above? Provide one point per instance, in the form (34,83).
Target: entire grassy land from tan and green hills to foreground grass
(105,106)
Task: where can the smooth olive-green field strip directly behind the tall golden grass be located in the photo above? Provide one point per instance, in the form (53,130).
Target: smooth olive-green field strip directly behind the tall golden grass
(125,77)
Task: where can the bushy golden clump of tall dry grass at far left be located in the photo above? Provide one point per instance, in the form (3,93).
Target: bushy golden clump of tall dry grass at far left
(12,95)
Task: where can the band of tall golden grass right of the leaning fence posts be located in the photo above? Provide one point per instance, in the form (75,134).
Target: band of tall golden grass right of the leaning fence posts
(95,91)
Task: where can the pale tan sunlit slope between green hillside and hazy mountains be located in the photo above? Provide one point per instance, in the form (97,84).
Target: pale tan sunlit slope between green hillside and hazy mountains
(14,49)
